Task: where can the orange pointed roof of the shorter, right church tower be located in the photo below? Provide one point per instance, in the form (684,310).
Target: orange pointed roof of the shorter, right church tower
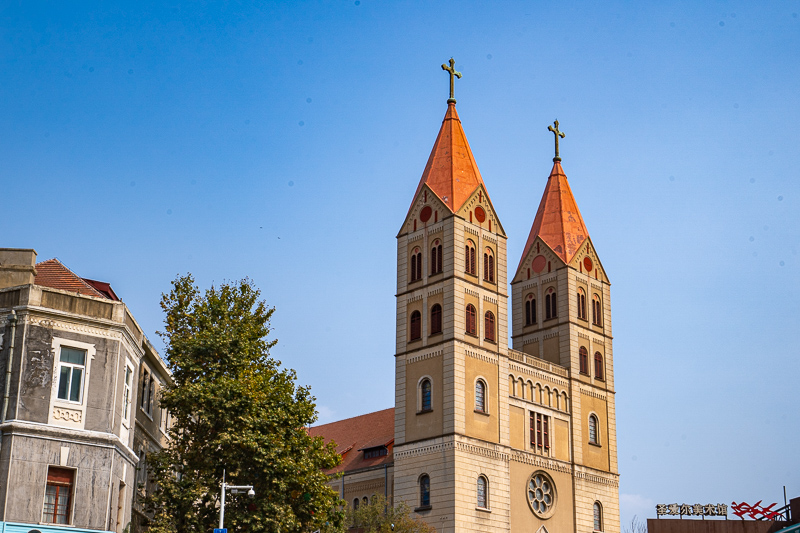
(558,221)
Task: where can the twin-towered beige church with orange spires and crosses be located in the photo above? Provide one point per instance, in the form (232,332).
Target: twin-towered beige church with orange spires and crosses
(488,437)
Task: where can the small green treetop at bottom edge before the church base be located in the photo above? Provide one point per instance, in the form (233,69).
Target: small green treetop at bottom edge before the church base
(378,517)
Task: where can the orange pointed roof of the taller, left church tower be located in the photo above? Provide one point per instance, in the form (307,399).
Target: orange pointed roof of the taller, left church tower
(451,171)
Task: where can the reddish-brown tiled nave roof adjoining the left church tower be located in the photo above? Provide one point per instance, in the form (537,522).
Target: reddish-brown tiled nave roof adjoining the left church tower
(353,435)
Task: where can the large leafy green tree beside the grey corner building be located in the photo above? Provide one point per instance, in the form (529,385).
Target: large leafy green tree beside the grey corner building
(233,407)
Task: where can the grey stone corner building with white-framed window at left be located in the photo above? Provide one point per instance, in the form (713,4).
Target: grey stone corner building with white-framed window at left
(80,384)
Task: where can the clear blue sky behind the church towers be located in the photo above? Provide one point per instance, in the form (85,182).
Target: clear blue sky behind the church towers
(284,142)
